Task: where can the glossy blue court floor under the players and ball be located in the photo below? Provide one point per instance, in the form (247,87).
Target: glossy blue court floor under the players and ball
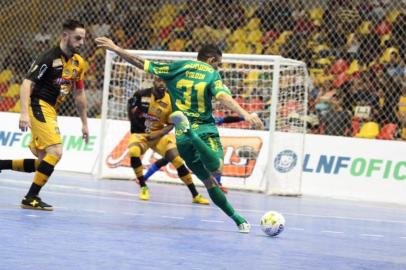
(101,224)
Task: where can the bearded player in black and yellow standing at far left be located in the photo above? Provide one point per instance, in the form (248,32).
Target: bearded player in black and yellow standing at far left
(54,74)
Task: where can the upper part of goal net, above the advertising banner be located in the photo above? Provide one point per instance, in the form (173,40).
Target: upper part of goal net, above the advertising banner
(249,80)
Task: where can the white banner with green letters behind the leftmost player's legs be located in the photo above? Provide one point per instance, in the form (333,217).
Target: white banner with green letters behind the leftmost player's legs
(77,156)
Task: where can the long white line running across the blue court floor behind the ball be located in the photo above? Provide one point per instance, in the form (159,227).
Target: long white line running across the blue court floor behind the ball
(98,191)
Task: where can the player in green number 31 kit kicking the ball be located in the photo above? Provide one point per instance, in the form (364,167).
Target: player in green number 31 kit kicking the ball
(191,85)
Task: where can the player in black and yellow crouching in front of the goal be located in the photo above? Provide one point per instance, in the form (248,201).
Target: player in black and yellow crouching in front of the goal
(149,111)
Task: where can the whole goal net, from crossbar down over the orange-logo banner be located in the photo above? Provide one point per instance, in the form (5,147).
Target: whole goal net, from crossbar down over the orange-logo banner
(249,78)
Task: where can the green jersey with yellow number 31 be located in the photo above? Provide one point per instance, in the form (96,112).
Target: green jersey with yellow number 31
(191,85)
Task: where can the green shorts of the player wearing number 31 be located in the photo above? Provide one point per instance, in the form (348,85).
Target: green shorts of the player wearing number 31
(190,154)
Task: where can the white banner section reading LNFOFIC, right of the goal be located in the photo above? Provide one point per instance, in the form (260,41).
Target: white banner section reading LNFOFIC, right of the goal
(352,168)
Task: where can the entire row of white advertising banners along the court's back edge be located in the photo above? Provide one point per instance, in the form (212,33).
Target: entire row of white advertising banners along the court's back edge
(339,167)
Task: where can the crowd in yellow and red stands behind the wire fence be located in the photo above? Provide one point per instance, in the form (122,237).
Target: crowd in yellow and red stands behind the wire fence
(355,52)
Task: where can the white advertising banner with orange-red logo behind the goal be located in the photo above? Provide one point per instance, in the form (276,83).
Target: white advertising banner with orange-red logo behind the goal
(244,157)
